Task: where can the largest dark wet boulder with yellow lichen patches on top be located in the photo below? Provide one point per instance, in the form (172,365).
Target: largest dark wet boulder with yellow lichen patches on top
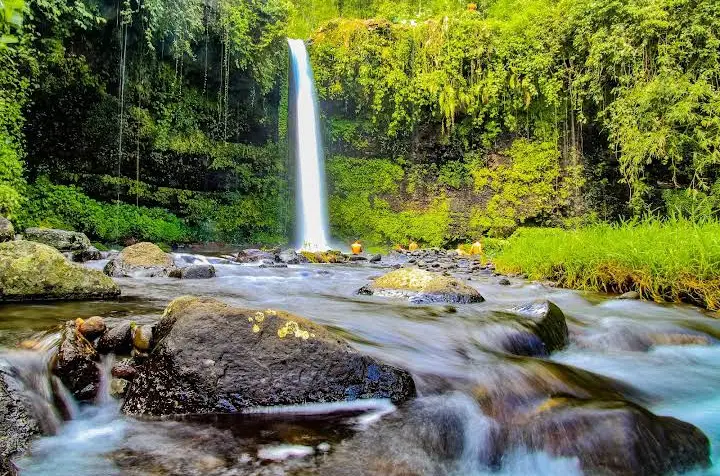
(213,358)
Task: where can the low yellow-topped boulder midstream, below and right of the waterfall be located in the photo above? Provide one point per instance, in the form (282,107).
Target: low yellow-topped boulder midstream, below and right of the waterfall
(422,287)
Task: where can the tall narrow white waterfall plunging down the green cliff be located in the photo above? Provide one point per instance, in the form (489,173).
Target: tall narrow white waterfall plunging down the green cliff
(312,224)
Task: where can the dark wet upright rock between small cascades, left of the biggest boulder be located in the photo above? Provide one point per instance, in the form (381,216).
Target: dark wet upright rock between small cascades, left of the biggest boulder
(76,364)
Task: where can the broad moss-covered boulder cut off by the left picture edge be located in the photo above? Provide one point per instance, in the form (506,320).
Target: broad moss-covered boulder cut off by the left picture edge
(33,271)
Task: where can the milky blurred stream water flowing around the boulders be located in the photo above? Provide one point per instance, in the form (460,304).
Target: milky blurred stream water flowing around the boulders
(441,345)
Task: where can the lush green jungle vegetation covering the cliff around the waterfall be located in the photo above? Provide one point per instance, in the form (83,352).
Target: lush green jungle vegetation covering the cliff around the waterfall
(443,121)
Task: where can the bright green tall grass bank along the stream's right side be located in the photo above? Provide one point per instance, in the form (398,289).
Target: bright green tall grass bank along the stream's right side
(670,260)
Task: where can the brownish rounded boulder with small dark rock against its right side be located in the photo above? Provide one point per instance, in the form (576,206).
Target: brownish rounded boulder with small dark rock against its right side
(140,260)
